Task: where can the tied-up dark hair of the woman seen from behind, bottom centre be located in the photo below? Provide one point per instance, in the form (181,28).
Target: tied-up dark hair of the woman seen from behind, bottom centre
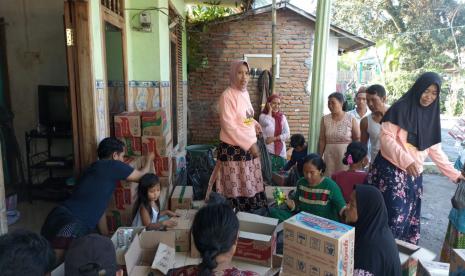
(214,229)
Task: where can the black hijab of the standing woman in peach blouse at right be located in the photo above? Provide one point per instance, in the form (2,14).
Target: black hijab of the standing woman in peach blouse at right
(422,123)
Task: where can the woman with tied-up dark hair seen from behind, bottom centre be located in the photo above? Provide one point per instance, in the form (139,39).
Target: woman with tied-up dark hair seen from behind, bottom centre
(215,230)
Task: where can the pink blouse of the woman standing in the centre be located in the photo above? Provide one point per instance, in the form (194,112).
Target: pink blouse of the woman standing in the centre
(236,119)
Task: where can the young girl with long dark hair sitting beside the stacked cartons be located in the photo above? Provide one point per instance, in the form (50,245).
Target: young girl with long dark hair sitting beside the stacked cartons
(147,208)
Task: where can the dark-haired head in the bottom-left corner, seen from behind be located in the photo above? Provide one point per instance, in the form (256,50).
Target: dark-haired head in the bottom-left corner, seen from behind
(23,252)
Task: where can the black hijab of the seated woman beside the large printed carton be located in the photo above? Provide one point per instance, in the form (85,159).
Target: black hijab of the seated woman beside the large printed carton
(375,247)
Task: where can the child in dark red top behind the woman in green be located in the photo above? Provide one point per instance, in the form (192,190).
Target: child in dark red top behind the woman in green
(356,157)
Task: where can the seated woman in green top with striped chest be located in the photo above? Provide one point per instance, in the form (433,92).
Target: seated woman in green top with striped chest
(316,194)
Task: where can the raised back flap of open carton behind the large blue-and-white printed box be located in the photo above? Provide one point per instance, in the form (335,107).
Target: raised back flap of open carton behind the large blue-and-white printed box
(257,224)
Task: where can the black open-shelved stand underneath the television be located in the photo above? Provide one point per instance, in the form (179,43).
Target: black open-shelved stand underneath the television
(49,175)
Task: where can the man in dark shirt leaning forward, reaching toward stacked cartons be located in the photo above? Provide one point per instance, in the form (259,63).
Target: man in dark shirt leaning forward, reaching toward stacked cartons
(80,214)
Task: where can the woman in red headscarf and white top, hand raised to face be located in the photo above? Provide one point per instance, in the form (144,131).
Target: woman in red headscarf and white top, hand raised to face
(275,131)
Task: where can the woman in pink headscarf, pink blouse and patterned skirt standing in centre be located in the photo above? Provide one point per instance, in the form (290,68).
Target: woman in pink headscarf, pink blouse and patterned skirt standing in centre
(238,172)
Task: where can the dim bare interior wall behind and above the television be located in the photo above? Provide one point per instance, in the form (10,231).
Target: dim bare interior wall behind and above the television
(36,55)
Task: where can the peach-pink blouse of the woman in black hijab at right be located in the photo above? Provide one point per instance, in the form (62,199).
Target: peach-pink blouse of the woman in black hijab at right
(395,148)
